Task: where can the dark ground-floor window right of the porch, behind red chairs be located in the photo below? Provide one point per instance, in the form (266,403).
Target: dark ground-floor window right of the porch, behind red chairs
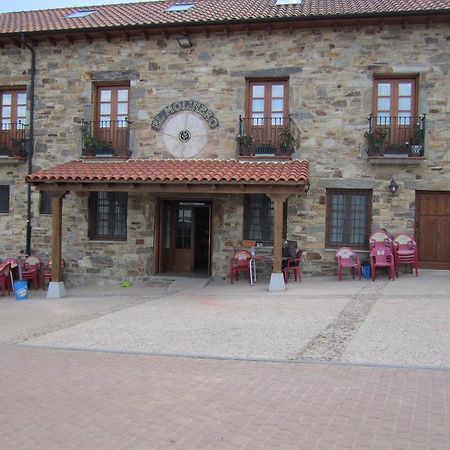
(348,219)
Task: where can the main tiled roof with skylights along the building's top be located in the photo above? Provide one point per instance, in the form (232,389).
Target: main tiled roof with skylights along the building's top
(205,11)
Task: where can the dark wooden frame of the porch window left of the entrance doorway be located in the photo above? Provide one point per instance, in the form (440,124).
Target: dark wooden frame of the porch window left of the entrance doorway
(111,235)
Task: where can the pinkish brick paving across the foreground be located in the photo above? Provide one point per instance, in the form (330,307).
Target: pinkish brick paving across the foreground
(97,400)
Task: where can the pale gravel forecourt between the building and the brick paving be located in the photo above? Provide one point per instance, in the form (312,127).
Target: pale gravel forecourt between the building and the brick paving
(402,322)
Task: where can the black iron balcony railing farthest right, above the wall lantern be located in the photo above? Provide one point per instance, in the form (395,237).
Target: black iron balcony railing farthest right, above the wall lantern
(396,136)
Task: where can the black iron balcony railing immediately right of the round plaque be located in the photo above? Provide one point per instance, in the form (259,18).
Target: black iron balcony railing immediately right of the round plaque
(266,136)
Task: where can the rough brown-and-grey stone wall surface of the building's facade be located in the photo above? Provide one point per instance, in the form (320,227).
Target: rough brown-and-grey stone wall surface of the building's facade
(330,97)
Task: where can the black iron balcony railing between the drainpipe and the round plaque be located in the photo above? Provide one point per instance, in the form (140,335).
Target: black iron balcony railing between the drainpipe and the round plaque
(106,138)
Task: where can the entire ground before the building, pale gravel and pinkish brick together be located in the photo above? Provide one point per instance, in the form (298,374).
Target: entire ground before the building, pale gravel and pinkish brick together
(229,396)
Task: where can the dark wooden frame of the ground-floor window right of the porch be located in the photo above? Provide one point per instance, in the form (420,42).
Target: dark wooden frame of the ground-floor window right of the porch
(347,211)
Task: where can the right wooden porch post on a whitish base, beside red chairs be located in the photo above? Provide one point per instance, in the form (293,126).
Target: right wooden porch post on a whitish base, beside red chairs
(277,280)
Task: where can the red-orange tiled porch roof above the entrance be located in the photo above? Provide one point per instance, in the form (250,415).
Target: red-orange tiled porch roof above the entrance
(176,171)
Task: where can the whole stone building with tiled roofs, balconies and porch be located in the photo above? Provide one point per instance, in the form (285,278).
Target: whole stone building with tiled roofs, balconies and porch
(168,132)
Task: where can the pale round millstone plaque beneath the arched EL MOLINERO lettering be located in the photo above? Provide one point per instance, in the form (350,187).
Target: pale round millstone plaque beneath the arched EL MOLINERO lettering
(184,134)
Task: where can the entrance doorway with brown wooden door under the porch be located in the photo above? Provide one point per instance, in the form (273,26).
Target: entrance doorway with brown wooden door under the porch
(185,237)
